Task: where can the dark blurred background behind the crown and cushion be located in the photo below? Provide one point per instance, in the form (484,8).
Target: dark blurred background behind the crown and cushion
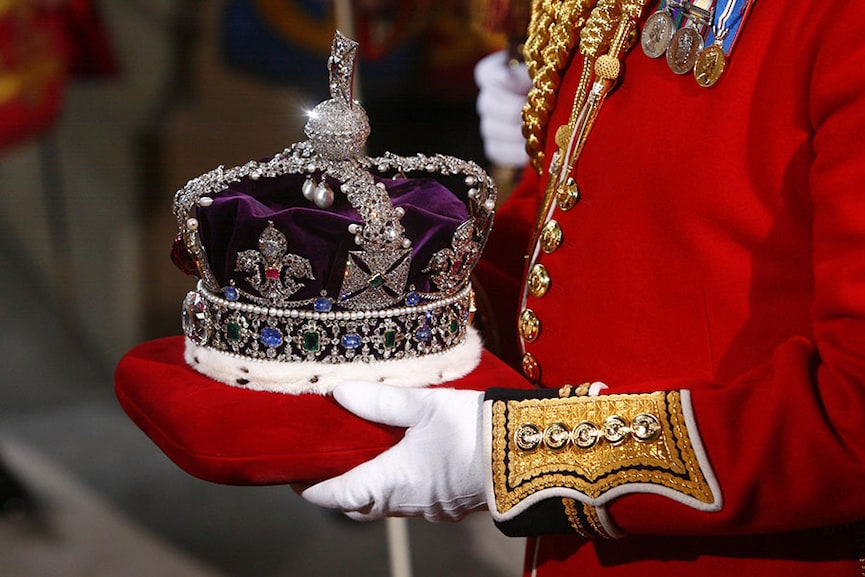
(107,108)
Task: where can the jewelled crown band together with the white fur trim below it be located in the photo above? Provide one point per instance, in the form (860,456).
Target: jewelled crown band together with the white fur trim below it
(247,346)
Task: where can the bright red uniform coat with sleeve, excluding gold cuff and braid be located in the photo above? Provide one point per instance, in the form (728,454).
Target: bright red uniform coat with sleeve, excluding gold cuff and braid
(719,247)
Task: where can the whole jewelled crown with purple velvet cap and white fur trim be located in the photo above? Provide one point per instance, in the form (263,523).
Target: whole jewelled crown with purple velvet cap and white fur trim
(320,265)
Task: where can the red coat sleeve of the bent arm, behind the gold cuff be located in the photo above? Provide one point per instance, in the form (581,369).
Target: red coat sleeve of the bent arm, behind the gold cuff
(783,446)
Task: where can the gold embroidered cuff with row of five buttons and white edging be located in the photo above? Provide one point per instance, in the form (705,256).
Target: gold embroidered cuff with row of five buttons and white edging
(593,449)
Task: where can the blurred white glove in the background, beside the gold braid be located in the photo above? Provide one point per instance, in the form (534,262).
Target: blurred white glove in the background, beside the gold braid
(501,97)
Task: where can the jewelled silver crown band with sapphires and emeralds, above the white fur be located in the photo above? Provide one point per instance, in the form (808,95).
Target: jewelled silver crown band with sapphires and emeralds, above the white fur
(292,335)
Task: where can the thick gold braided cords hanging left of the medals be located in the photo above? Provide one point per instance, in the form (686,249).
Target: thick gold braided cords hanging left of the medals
(550,46)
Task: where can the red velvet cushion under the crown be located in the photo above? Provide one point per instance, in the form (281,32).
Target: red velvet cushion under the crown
(235,436)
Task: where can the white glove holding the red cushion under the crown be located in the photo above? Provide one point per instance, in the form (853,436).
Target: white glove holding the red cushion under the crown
(435,471)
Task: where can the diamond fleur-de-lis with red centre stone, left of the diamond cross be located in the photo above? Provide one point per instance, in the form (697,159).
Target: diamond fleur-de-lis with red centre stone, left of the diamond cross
(273,271)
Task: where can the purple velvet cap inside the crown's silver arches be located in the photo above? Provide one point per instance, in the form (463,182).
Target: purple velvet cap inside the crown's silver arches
(239,215)
